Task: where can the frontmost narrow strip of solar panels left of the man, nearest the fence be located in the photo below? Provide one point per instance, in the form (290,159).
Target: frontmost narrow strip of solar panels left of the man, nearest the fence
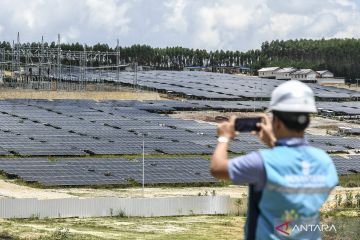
(109,171)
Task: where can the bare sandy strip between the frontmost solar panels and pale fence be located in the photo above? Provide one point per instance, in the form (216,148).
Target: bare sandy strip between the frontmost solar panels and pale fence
(10,189)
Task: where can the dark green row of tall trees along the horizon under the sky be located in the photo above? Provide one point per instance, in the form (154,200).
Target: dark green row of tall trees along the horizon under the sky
(340,56)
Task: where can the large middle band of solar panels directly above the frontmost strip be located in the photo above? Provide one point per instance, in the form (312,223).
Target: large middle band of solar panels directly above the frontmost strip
(77,128)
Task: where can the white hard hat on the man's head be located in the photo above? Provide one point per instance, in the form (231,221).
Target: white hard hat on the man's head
(293,96)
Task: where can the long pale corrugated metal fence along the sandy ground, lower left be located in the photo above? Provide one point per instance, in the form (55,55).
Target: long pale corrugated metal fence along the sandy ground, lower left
(98,207)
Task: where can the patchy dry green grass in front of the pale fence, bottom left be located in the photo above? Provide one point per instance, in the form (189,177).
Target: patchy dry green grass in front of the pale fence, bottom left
(177,228)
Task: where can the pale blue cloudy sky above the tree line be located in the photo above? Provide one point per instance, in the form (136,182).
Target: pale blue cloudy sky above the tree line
(205,24)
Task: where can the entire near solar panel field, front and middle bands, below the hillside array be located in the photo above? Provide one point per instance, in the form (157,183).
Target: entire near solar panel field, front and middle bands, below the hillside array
(80,135)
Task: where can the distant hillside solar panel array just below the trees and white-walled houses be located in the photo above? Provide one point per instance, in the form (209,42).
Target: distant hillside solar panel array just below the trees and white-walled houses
(207,85)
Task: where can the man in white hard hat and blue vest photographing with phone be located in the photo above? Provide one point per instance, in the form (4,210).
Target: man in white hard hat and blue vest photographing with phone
(290,181)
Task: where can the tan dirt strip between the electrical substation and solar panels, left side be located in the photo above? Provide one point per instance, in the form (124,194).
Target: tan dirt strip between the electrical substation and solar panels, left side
(90,95)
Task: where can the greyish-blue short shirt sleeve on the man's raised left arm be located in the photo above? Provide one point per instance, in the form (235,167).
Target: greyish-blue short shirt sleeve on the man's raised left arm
(248,169)
